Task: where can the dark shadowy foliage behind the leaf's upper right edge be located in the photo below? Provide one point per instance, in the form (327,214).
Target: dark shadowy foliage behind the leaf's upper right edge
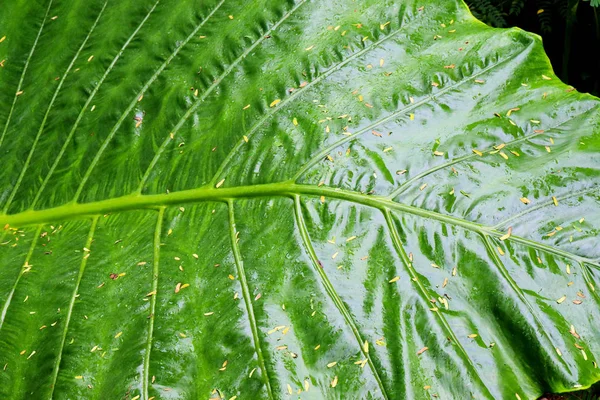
(570,30)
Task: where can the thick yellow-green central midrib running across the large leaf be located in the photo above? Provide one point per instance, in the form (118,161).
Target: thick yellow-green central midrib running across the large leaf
(287,189)
